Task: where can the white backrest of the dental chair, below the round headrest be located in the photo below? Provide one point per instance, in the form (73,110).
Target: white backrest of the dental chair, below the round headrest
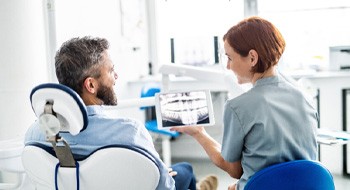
(117,167)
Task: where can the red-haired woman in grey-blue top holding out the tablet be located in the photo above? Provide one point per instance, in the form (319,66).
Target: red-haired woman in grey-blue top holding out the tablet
(272,122)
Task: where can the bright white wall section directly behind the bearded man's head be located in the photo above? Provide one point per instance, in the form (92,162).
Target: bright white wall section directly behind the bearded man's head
(121,22)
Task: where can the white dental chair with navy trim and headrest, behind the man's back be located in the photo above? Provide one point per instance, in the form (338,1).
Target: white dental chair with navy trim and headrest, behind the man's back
(60,110)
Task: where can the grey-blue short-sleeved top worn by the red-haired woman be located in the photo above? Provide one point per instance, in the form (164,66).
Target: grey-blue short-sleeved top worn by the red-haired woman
(271,123)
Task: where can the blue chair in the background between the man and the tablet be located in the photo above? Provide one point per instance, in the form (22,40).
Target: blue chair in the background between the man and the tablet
(149,90)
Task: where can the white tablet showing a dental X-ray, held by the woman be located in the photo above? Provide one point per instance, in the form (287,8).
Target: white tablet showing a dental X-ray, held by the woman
(184,108)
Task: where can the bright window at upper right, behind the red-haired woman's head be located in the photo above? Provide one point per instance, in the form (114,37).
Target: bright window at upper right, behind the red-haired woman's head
(310,28)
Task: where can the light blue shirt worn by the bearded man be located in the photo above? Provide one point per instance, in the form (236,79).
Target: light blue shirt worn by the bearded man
(105,130)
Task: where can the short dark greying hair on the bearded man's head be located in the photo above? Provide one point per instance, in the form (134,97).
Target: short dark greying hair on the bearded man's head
(78,59)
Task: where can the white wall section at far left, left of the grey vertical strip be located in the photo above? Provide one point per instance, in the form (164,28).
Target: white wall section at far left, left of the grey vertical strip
(22,63)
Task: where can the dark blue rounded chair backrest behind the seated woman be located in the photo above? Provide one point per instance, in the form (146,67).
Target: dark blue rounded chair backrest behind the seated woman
(293,175)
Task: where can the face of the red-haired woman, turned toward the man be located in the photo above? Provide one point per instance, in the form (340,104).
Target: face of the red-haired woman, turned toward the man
(241,66)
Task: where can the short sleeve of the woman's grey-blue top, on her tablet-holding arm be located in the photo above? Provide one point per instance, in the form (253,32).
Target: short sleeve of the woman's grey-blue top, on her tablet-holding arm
(233,137)
